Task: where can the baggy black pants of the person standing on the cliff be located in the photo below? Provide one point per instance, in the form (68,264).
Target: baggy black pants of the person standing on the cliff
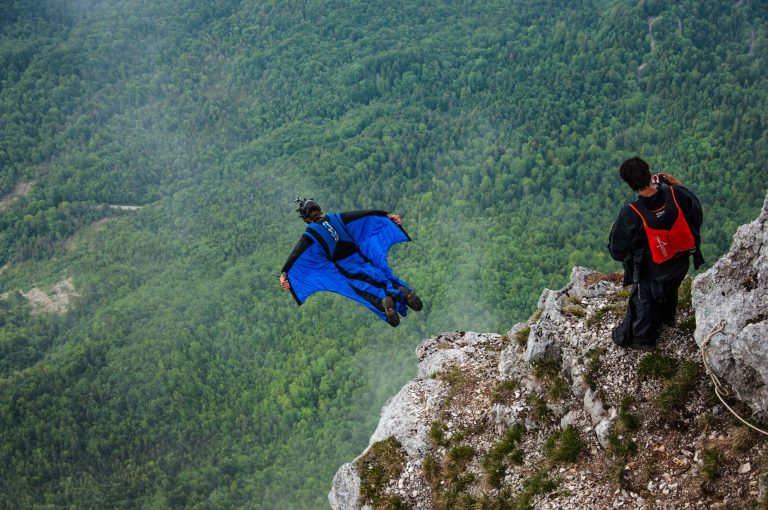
(650,304)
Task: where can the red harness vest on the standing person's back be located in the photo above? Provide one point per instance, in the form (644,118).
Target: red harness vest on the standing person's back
(665,240)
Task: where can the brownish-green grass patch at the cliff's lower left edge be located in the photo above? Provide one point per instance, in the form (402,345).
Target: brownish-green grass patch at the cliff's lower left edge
(383,462)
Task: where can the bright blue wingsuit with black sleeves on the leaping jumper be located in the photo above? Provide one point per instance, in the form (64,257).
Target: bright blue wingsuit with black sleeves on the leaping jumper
(346,253)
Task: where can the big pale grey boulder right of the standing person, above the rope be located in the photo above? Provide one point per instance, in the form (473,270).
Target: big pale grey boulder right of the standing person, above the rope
(735,292)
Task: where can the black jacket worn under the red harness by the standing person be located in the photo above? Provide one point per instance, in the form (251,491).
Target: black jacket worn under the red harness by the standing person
(629,244)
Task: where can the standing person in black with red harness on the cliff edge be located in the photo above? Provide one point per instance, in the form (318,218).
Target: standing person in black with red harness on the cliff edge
(653,238)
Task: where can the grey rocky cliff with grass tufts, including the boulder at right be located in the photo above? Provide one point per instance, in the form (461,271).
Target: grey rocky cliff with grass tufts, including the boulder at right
(501,420)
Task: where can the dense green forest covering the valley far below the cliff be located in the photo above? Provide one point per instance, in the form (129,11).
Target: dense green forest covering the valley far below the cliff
(181,376)
